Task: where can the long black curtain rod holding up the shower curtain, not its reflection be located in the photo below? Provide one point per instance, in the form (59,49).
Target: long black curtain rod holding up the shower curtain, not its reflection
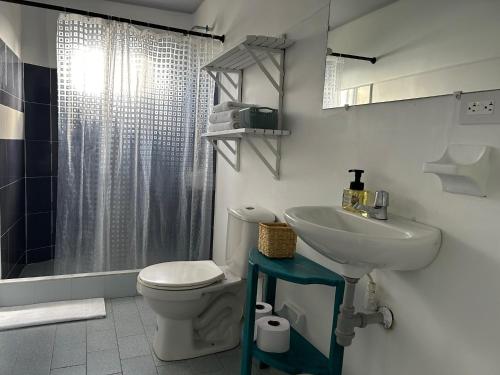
(113,18)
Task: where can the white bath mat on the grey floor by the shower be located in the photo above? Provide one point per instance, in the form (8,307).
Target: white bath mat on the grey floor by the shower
(51,312)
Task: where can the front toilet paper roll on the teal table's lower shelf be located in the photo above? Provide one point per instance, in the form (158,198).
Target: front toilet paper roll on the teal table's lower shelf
(273,334)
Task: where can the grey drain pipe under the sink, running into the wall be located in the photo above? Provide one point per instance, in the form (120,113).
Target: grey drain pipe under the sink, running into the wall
(350,319)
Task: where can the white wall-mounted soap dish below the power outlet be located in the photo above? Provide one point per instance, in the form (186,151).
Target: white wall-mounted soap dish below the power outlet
(463,169)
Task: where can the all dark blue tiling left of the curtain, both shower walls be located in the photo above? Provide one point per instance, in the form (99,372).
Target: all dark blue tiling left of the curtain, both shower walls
(28,168)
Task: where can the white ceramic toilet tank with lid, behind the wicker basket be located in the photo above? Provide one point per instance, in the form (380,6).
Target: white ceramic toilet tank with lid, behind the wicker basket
(243,235)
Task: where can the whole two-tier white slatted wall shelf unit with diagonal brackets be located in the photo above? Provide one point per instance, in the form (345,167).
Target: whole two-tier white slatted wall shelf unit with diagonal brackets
(227,71)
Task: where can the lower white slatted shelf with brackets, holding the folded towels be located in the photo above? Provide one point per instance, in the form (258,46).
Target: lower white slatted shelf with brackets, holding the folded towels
(237,135)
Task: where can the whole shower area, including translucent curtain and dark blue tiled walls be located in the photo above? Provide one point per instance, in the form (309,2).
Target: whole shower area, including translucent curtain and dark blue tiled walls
(103,168)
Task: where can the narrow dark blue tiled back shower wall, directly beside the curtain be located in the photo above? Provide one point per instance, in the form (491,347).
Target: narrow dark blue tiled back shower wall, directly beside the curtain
(41,161)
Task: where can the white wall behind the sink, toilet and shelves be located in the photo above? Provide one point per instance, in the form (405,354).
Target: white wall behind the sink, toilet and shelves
(445,314)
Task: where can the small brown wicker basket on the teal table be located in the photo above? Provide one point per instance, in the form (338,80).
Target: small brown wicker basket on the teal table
(277,240)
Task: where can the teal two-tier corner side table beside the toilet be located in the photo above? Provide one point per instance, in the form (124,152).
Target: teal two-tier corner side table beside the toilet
(302,357)
